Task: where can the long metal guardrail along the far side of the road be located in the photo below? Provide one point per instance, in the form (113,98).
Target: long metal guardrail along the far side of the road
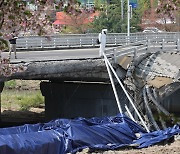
(87,40)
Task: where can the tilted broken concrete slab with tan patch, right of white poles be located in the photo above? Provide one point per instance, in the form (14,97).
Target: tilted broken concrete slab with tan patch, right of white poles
(142,69)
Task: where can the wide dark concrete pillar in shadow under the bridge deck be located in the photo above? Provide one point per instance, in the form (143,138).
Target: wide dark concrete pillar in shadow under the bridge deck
(72,100)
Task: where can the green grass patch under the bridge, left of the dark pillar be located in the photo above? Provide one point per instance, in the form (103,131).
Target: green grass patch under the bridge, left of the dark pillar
(21,100)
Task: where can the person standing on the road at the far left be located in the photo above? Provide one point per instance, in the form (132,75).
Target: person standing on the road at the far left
(12,42)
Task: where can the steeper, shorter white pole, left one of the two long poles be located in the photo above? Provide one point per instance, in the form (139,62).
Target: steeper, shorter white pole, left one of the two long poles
(113,86)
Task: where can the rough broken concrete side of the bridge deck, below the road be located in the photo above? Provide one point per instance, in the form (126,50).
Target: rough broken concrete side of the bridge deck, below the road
(87,69)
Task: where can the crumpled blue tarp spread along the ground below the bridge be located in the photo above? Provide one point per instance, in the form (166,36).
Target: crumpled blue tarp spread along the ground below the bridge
(64,135)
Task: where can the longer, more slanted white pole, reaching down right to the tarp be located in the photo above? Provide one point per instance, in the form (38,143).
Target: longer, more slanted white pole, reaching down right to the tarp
(129,98)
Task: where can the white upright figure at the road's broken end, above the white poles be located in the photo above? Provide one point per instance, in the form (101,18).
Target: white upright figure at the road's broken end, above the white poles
(102,41)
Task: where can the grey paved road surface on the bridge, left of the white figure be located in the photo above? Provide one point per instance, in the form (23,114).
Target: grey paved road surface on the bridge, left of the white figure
(54,54)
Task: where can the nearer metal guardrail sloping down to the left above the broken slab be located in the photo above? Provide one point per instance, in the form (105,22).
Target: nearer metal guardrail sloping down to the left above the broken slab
(142,47)
